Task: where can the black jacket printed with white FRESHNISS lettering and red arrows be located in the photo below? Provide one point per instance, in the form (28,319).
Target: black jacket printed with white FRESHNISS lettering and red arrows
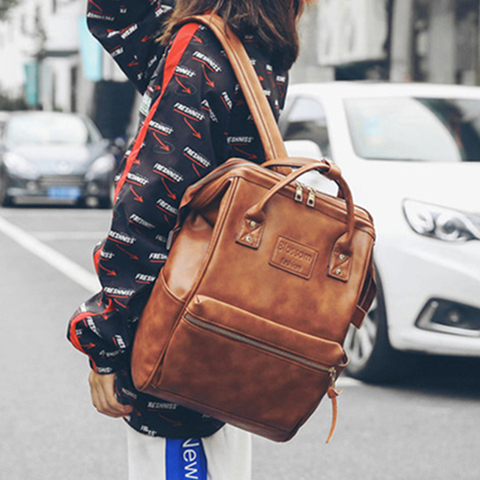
(202,121)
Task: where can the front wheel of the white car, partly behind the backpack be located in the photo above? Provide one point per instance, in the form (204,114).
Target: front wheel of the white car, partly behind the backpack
(372,359)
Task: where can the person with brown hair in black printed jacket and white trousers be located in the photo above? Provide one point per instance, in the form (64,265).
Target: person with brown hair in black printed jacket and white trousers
(202,120)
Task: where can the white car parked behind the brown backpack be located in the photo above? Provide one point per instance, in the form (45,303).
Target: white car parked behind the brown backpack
(411,155)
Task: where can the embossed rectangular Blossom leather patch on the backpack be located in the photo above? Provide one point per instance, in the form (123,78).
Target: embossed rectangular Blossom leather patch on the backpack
(293,257)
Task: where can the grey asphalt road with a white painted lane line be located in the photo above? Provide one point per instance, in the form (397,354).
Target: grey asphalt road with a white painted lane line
(425,428)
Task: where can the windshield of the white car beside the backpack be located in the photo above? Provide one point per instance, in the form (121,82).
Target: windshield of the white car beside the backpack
(415,129)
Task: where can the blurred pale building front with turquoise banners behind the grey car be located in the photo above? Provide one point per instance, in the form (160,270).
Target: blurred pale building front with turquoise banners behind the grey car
(49,57)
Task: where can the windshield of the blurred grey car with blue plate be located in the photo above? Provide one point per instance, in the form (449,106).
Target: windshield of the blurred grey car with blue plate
(48,128)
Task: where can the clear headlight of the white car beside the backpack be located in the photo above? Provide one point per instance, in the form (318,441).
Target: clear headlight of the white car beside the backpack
(441,223)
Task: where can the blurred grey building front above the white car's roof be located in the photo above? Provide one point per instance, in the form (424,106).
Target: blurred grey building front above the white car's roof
(434,41)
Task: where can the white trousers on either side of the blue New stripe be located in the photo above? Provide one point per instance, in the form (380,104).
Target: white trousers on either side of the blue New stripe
(228,453)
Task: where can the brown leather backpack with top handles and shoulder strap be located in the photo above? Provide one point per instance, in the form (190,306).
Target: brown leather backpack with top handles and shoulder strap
(247,319)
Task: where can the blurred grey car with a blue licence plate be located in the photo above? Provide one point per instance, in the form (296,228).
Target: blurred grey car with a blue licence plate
(52,157)
